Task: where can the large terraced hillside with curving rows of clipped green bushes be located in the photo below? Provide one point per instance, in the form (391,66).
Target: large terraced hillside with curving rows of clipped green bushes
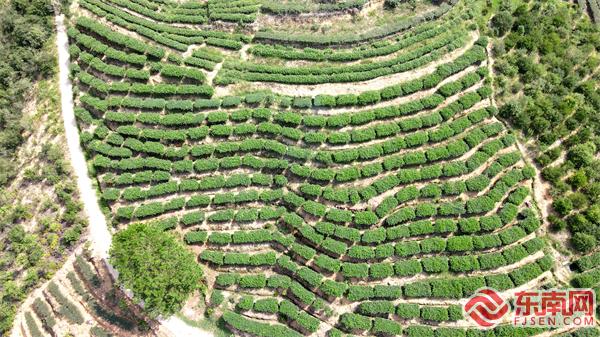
(328,184)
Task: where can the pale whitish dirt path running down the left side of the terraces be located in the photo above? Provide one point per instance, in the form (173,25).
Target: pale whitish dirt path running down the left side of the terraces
(99,235)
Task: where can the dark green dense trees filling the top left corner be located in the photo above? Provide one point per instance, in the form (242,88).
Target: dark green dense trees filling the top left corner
(25,28)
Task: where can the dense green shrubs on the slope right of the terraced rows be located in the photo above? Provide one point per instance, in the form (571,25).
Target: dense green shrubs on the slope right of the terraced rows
(552,71)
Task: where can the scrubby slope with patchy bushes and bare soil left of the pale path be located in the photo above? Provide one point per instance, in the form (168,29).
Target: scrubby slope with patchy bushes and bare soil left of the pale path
(40,220)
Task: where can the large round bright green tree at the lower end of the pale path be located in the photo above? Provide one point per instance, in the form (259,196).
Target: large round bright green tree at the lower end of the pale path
(156,267)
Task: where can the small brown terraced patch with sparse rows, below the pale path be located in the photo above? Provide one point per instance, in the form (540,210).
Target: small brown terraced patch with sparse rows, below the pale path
(81,300)
